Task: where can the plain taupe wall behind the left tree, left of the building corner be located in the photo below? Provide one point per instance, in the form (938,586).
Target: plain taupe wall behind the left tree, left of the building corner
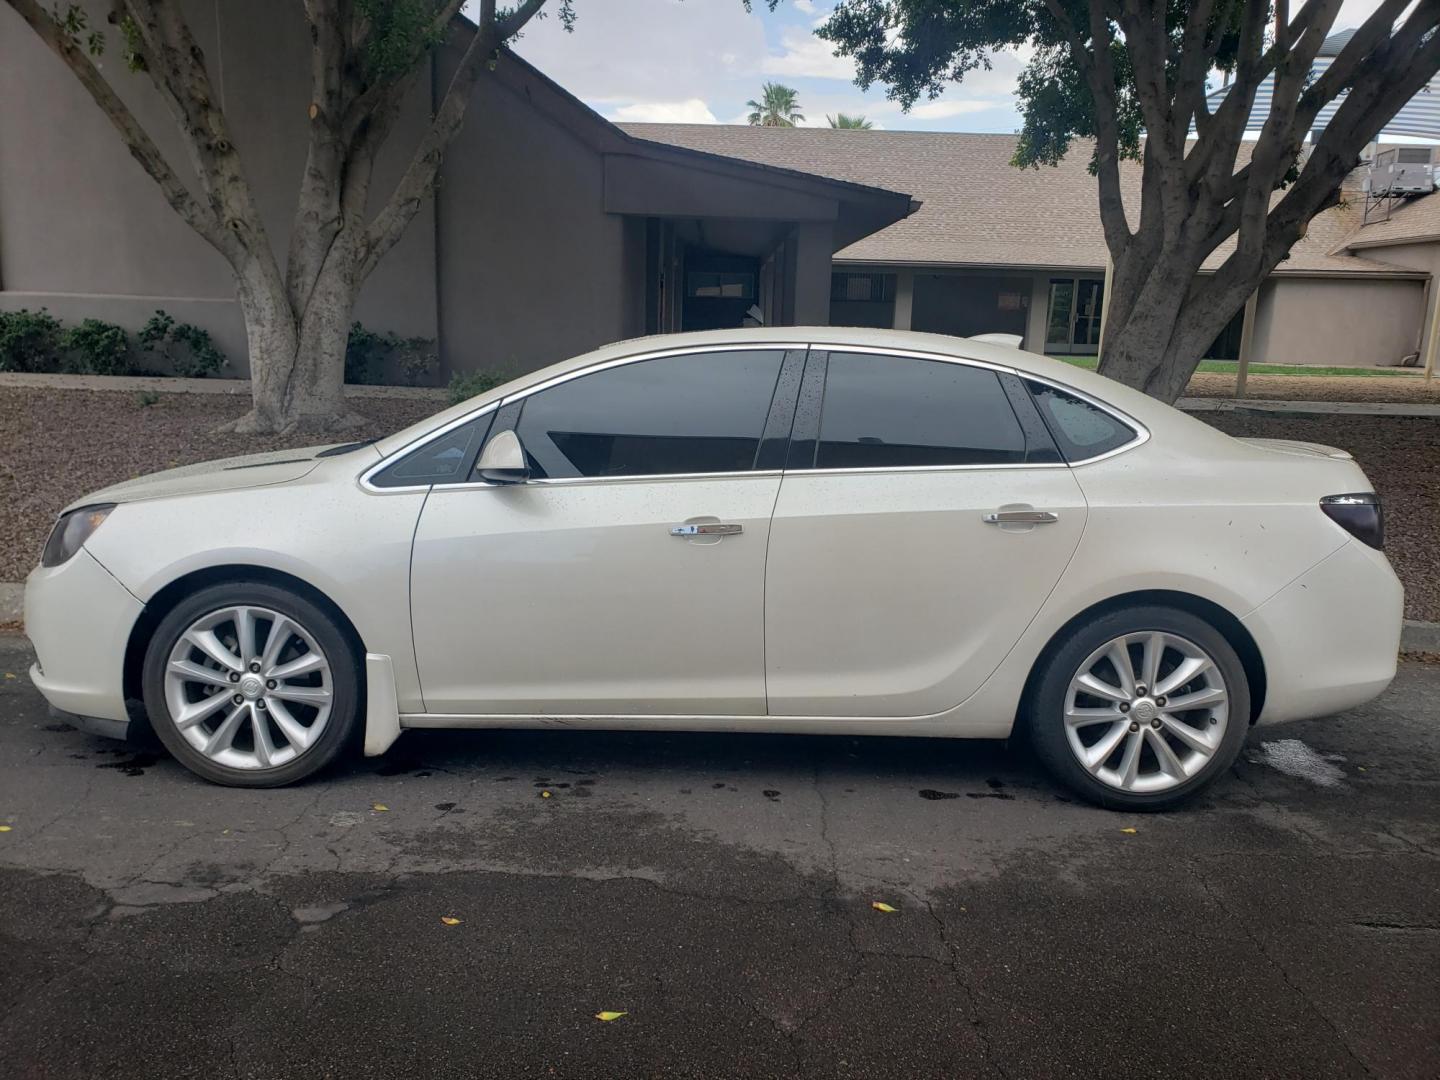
(86,233)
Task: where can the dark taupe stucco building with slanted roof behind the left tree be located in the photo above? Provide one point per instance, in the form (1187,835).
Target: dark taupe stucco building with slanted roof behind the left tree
(552,231)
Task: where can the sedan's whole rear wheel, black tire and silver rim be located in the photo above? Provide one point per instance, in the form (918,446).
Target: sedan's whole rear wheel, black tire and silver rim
(1085,739)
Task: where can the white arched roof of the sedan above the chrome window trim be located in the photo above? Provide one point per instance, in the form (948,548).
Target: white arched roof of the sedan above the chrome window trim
(1138,405)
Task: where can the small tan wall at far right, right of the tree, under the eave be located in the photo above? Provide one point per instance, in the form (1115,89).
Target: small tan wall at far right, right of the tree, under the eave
(1337,322)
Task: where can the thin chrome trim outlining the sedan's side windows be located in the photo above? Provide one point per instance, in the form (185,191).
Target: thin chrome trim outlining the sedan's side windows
(1143,433)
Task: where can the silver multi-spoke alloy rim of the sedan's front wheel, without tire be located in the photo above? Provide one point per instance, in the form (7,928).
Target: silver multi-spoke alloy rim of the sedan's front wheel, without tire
(248,688)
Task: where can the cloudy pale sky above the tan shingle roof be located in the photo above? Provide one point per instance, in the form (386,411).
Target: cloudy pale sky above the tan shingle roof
(699,61)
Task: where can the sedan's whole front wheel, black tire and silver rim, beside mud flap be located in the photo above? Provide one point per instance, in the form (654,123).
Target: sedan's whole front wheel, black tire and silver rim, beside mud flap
(292,690)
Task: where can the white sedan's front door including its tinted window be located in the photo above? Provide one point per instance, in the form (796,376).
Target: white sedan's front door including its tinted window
(627,577)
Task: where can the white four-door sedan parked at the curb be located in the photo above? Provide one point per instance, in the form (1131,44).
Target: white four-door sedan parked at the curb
(824,531)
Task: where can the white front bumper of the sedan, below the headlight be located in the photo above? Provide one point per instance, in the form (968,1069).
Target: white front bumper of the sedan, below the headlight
(78,618)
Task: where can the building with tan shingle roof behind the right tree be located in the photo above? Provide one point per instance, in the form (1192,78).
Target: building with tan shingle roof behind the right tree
(1002,250)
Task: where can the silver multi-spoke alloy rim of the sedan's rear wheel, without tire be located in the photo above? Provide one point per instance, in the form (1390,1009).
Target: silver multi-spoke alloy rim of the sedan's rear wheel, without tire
(1147,712)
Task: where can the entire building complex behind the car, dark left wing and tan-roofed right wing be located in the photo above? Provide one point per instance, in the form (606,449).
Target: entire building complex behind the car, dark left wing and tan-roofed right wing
(555,231)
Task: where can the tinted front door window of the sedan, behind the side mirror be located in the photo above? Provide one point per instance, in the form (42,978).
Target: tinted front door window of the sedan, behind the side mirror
(702,413)
